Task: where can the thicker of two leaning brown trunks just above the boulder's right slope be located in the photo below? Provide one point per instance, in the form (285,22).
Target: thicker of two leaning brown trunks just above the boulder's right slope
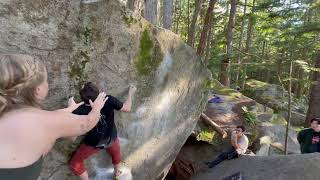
(206,27)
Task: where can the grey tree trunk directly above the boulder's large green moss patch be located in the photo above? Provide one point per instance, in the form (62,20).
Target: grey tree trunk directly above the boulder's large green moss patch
(151,11)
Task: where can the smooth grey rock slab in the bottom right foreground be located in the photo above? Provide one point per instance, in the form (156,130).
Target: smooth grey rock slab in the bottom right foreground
(292,167)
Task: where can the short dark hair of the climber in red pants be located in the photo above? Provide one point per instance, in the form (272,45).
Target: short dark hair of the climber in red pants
(89,91)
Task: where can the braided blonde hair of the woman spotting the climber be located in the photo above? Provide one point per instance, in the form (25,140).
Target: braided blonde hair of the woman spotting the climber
(20,75)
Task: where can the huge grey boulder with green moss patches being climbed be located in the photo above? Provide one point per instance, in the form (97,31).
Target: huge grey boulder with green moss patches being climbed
(101,41)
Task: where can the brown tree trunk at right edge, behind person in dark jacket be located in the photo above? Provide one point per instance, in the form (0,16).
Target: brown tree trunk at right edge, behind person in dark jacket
(314,102)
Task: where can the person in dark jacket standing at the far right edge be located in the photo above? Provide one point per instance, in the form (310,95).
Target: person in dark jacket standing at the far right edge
(309,139)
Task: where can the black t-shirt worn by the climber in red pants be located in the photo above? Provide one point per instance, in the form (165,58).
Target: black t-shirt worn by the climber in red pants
(105,132)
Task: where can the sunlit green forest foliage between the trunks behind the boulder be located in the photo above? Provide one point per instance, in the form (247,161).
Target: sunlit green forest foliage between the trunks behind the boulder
(282,31)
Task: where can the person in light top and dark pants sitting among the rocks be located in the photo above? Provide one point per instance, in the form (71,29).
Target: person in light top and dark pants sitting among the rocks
(239,143)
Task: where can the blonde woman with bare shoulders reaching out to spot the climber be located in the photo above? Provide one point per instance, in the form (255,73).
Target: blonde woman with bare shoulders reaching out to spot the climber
(27,132)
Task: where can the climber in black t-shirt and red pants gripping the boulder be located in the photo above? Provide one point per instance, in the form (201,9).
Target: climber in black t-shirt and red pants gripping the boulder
(104,134)
